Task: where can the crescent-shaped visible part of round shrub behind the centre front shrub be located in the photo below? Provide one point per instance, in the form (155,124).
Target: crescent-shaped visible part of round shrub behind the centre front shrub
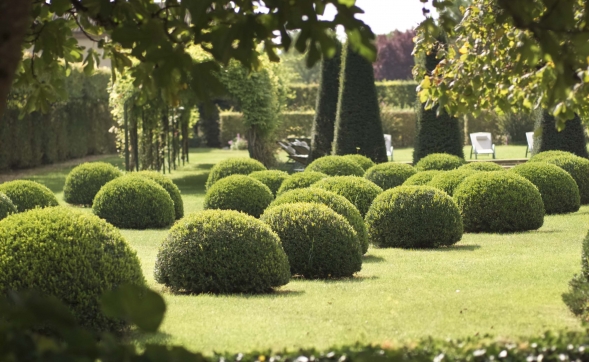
(337,203)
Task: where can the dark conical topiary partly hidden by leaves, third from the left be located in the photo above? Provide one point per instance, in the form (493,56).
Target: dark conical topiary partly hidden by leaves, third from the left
(436,134)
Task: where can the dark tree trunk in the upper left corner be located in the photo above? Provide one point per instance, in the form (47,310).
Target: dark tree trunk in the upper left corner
(15,18)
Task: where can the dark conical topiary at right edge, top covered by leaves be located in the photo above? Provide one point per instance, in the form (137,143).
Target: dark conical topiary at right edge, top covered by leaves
(570,139)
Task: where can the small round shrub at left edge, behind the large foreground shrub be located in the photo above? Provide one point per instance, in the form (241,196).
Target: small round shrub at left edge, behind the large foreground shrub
(27,195)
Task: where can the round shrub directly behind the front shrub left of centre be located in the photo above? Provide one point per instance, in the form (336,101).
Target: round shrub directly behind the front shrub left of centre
(241,193)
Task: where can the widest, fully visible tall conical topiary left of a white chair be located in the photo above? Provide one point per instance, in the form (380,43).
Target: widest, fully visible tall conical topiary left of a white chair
(358,128)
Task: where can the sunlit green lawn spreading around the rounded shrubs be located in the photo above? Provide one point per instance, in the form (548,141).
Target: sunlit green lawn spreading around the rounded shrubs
(506,285)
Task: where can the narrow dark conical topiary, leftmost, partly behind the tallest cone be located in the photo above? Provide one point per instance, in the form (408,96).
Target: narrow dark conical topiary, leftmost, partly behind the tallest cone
(326,109)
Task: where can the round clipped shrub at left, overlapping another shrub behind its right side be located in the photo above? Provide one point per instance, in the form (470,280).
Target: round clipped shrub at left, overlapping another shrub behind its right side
(134,202)
